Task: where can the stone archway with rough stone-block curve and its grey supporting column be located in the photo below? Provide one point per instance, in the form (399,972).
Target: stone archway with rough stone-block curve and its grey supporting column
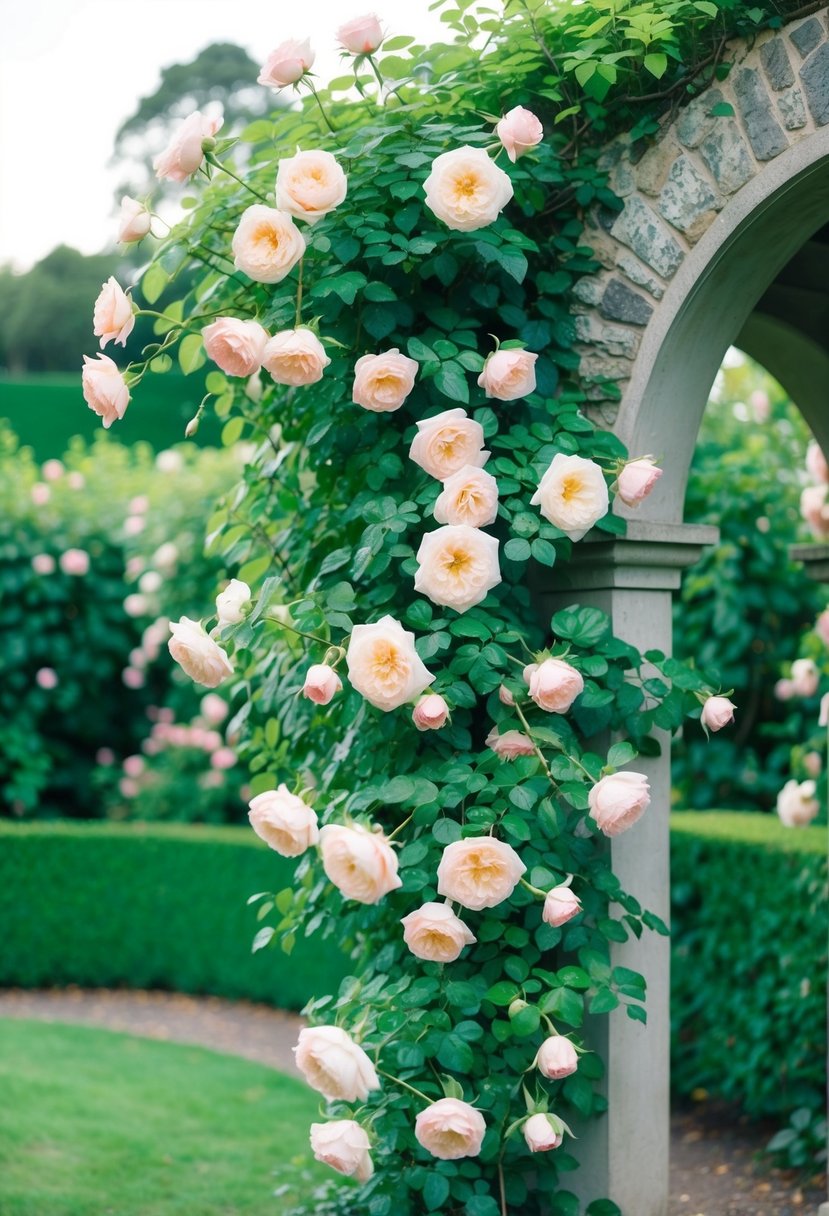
(720,241)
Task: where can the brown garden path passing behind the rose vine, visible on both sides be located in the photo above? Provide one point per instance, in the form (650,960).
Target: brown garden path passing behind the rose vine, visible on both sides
(713,1172)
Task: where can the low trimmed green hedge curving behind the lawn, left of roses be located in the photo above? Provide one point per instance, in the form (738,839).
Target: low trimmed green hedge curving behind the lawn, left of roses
(148,907)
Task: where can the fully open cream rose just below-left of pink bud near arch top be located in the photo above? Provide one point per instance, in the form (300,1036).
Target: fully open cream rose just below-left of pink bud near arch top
(466,189)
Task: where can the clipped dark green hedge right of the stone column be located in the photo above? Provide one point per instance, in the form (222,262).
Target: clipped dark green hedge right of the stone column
(749,973)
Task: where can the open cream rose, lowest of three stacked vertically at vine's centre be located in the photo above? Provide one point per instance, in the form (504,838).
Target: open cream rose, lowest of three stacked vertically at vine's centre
(458,566)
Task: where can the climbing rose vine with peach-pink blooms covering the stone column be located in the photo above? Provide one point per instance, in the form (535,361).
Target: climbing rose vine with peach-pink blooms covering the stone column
(380,290)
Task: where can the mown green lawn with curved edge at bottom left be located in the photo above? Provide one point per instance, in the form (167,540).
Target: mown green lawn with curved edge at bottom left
(101,1124)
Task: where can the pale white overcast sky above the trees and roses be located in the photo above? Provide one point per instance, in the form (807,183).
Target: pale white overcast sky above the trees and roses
(71,71)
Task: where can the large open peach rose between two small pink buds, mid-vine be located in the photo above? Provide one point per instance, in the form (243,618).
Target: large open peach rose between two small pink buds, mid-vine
(384,665)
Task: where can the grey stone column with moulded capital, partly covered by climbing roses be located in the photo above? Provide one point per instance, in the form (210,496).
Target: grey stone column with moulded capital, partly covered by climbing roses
(625,1155)
